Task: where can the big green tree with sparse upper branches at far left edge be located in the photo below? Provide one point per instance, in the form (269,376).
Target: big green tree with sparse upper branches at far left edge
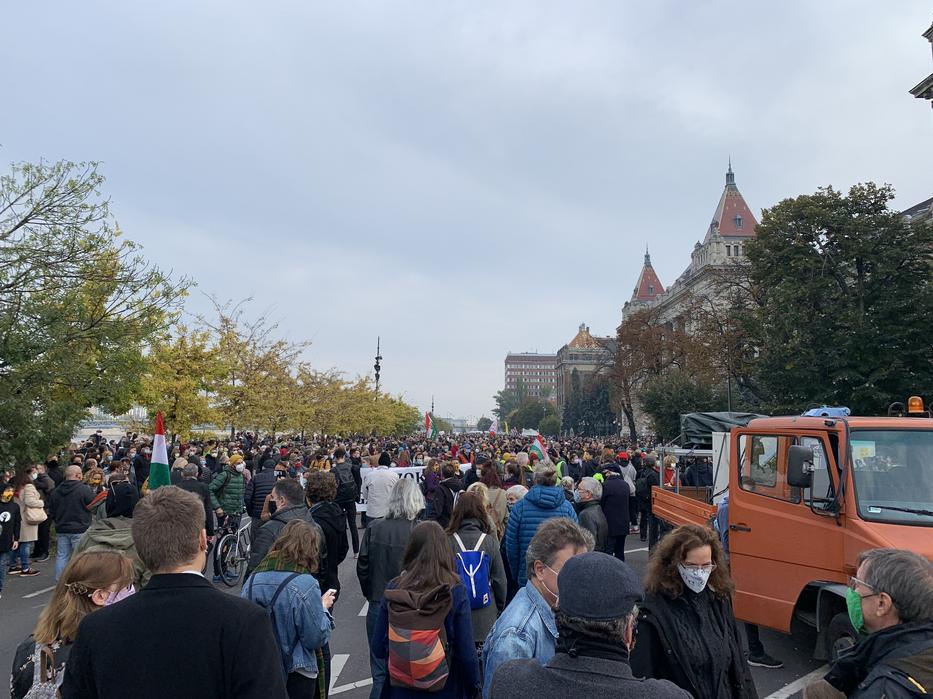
(78,306)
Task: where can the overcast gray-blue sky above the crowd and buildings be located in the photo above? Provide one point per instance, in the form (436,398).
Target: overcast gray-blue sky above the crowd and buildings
(459,178)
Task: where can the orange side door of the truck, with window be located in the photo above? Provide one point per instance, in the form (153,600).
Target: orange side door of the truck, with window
(777,544)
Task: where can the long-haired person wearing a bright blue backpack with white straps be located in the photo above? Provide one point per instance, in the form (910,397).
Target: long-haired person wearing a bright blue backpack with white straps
(470,530)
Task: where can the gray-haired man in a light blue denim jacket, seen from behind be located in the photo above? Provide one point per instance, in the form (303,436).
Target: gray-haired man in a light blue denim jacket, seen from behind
(526,628)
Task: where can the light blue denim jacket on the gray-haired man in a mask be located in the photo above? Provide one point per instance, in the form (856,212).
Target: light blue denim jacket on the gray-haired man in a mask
(526,629)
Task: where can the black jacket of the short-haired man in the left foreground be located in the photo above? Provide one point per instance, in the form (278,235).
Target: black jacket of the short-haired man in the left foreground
(188,640)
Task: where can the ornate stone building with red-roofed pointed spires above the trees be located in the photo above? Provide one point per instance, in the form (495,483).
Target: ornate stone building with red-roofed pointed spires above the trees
(733,224)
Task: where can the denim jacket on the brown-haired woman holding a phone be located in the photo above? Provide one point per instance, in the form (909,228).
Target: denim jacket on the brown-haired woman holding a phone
(302,623)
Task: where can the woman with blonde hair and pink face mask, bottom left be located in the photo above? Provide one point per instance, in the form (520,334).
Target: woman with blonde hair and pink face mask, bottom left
(91,580)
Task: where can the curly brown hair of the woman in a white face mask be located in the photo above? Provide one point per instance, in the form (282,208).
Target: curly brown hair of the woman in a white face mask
(663,578)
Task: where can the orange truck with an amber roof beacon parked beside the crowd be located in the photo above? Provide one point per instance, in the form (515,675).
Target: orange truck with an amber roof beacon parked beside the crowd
(806,496)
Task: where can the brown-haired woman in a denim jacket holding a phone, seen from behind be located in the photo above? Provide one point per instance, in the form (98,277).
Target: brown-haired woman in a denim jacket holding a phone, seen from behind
(284,584)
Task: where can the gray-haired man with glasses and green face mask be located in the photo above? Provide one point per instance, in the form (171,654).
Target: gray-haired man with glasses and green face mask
(890,598)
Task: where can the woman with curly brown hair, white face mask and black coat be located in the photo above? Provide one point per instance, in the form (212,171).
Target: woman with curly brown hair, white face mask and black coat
(687,632)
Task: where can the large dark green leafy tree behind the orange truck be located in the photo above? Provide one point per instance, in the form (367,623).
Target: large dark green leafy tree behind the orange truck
(845,302)
